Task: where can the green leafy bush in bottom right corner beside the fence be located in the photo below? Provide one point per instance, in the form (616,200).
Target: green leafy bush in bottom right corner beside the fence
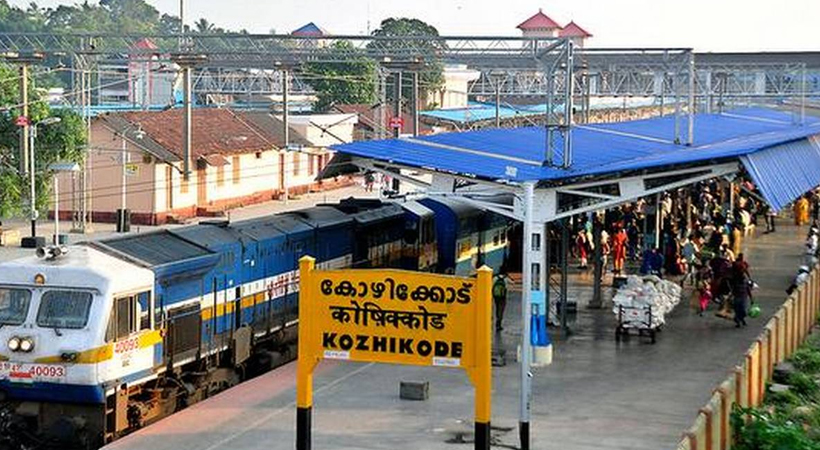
(757,429)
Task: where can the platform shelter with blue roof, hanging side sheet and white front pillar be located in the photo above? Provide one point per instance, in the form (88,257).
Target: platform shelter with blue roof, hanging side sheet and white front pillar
(609,164)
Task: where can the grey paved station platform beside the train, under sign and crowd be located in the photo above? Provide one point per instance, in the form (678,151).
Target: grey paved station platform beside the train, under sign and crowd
(597,394)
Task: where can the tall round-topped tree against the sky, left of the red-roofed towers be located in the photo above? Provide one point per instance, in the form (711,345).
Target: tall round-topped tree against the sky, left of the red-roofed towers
(430,78)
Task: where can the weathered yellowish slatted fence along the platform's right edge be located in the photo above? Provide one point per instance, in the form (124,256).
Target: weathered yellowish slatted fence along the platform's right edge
(746,386)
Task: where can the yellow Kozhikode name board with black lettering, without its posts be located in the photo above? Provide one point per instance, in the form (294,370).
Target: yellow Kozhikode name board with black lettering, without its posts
(392,316)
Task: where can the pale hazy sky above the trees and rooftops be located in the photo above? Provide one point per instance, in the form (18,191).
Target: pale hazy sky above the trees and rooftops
(706,25)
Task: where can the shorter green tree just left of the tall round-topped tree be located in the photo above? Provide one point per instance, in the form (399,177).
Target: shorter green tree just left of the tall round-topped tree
(348,82)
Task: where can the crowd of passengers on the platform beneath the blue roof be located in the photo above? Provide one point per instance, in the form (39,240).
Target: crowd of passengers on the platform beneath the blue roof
(696,237)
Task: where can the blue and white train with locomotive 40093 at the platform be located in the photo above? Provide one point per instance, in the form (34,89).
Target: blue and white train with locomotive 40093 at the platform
(104,337)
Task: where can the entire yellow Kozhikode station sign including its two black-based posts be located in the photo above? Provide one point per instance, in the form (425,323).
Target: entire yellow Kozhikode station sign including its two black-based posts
(399,317)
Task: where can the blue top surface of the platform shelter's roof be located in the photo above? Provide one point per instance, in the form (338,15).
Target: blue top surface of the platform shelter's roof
(516,154)
